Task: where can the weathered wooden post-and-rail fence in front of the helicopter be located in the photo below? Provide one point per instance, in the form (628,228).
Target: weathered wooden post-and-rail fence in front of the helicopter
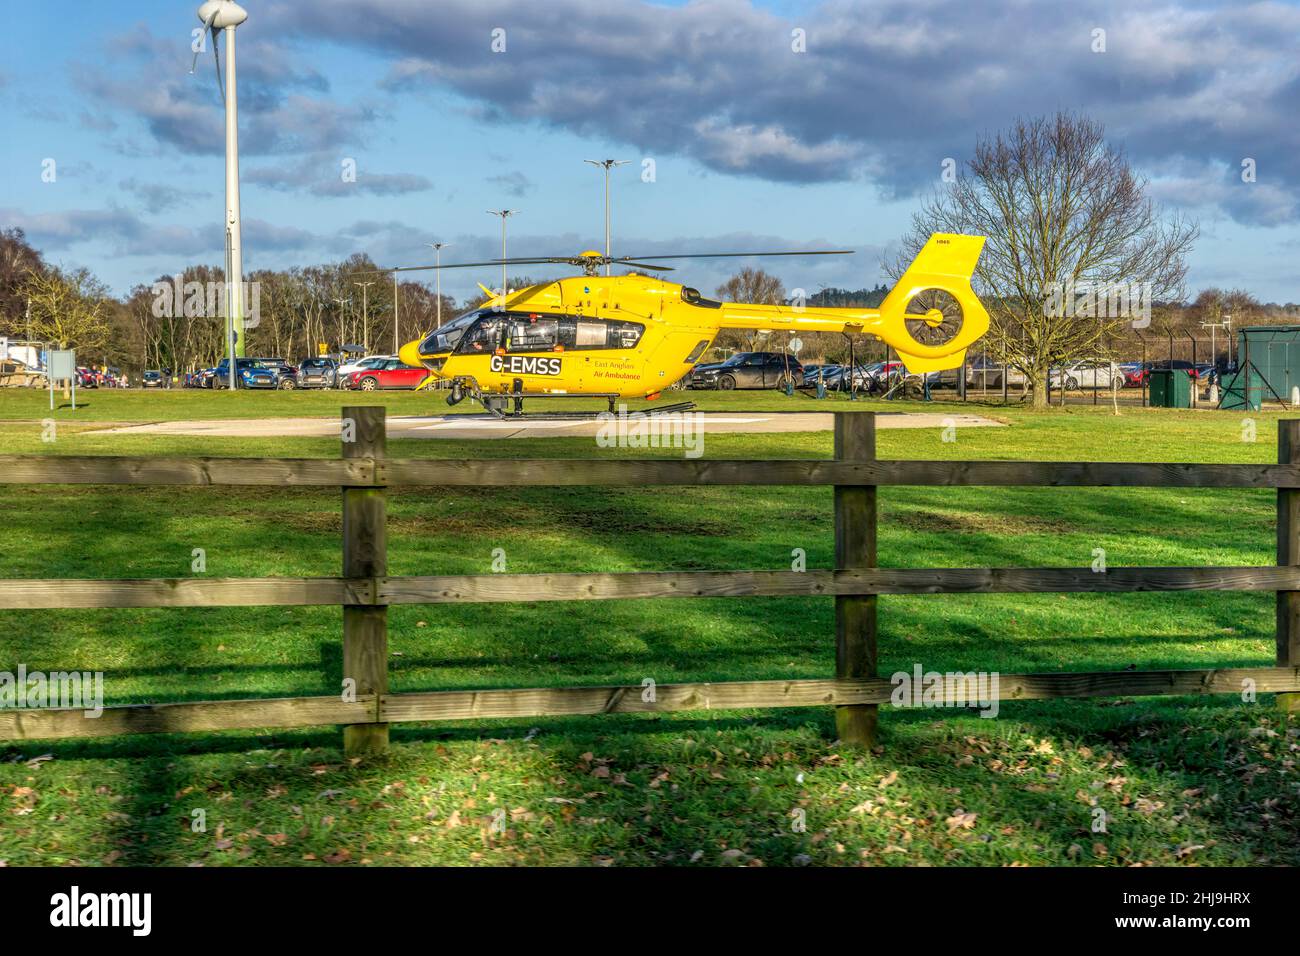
(366,708)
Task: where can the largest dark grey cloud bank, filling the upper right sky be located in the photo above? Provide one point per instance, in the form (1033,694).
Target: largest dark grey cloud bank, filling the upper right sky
(885,92)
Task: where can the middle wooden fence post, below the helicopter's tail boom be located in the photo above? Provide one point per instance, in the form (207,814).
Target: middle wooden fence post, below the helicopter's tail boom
(856,548)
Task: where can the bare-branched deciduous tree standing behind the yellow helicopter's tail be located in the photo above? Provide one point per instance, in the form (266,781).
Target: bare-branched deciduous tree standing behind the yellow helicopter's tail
(1065,215)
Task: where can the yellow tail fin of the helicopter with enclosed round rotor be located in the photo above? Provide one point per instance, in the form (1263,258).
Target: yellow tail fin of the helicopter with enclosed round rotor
(946,263)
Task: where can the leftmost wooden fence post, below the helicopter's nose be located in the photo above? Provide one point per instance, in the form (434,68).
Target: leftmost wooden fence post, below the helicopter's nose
(366,555)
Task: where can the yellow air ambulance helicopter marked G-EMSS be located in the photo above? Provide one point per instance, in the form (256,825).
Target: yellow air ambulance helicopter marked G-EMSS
(635,335)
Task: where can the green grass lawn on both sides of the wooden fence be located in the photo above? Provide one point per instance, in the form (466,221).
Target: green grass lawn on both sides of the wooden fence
(1181,781)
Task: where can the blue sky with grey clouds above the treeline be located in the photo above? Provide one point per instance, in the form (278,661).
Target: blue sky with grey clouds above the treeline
(755,146)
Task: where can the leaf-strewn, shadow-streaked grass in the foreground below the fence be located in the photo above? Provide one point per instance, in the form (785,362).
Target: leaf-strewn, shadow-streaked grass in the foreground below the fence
(1180,781)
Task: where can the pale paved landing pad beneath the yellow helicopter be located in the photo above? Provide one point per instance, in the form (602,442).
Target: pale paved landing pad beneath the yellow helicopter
(488,427)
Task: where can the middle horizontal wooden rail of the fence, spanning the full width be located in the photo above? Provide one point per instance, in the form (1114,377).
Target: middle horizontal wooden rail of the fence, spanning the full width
(504,589)
